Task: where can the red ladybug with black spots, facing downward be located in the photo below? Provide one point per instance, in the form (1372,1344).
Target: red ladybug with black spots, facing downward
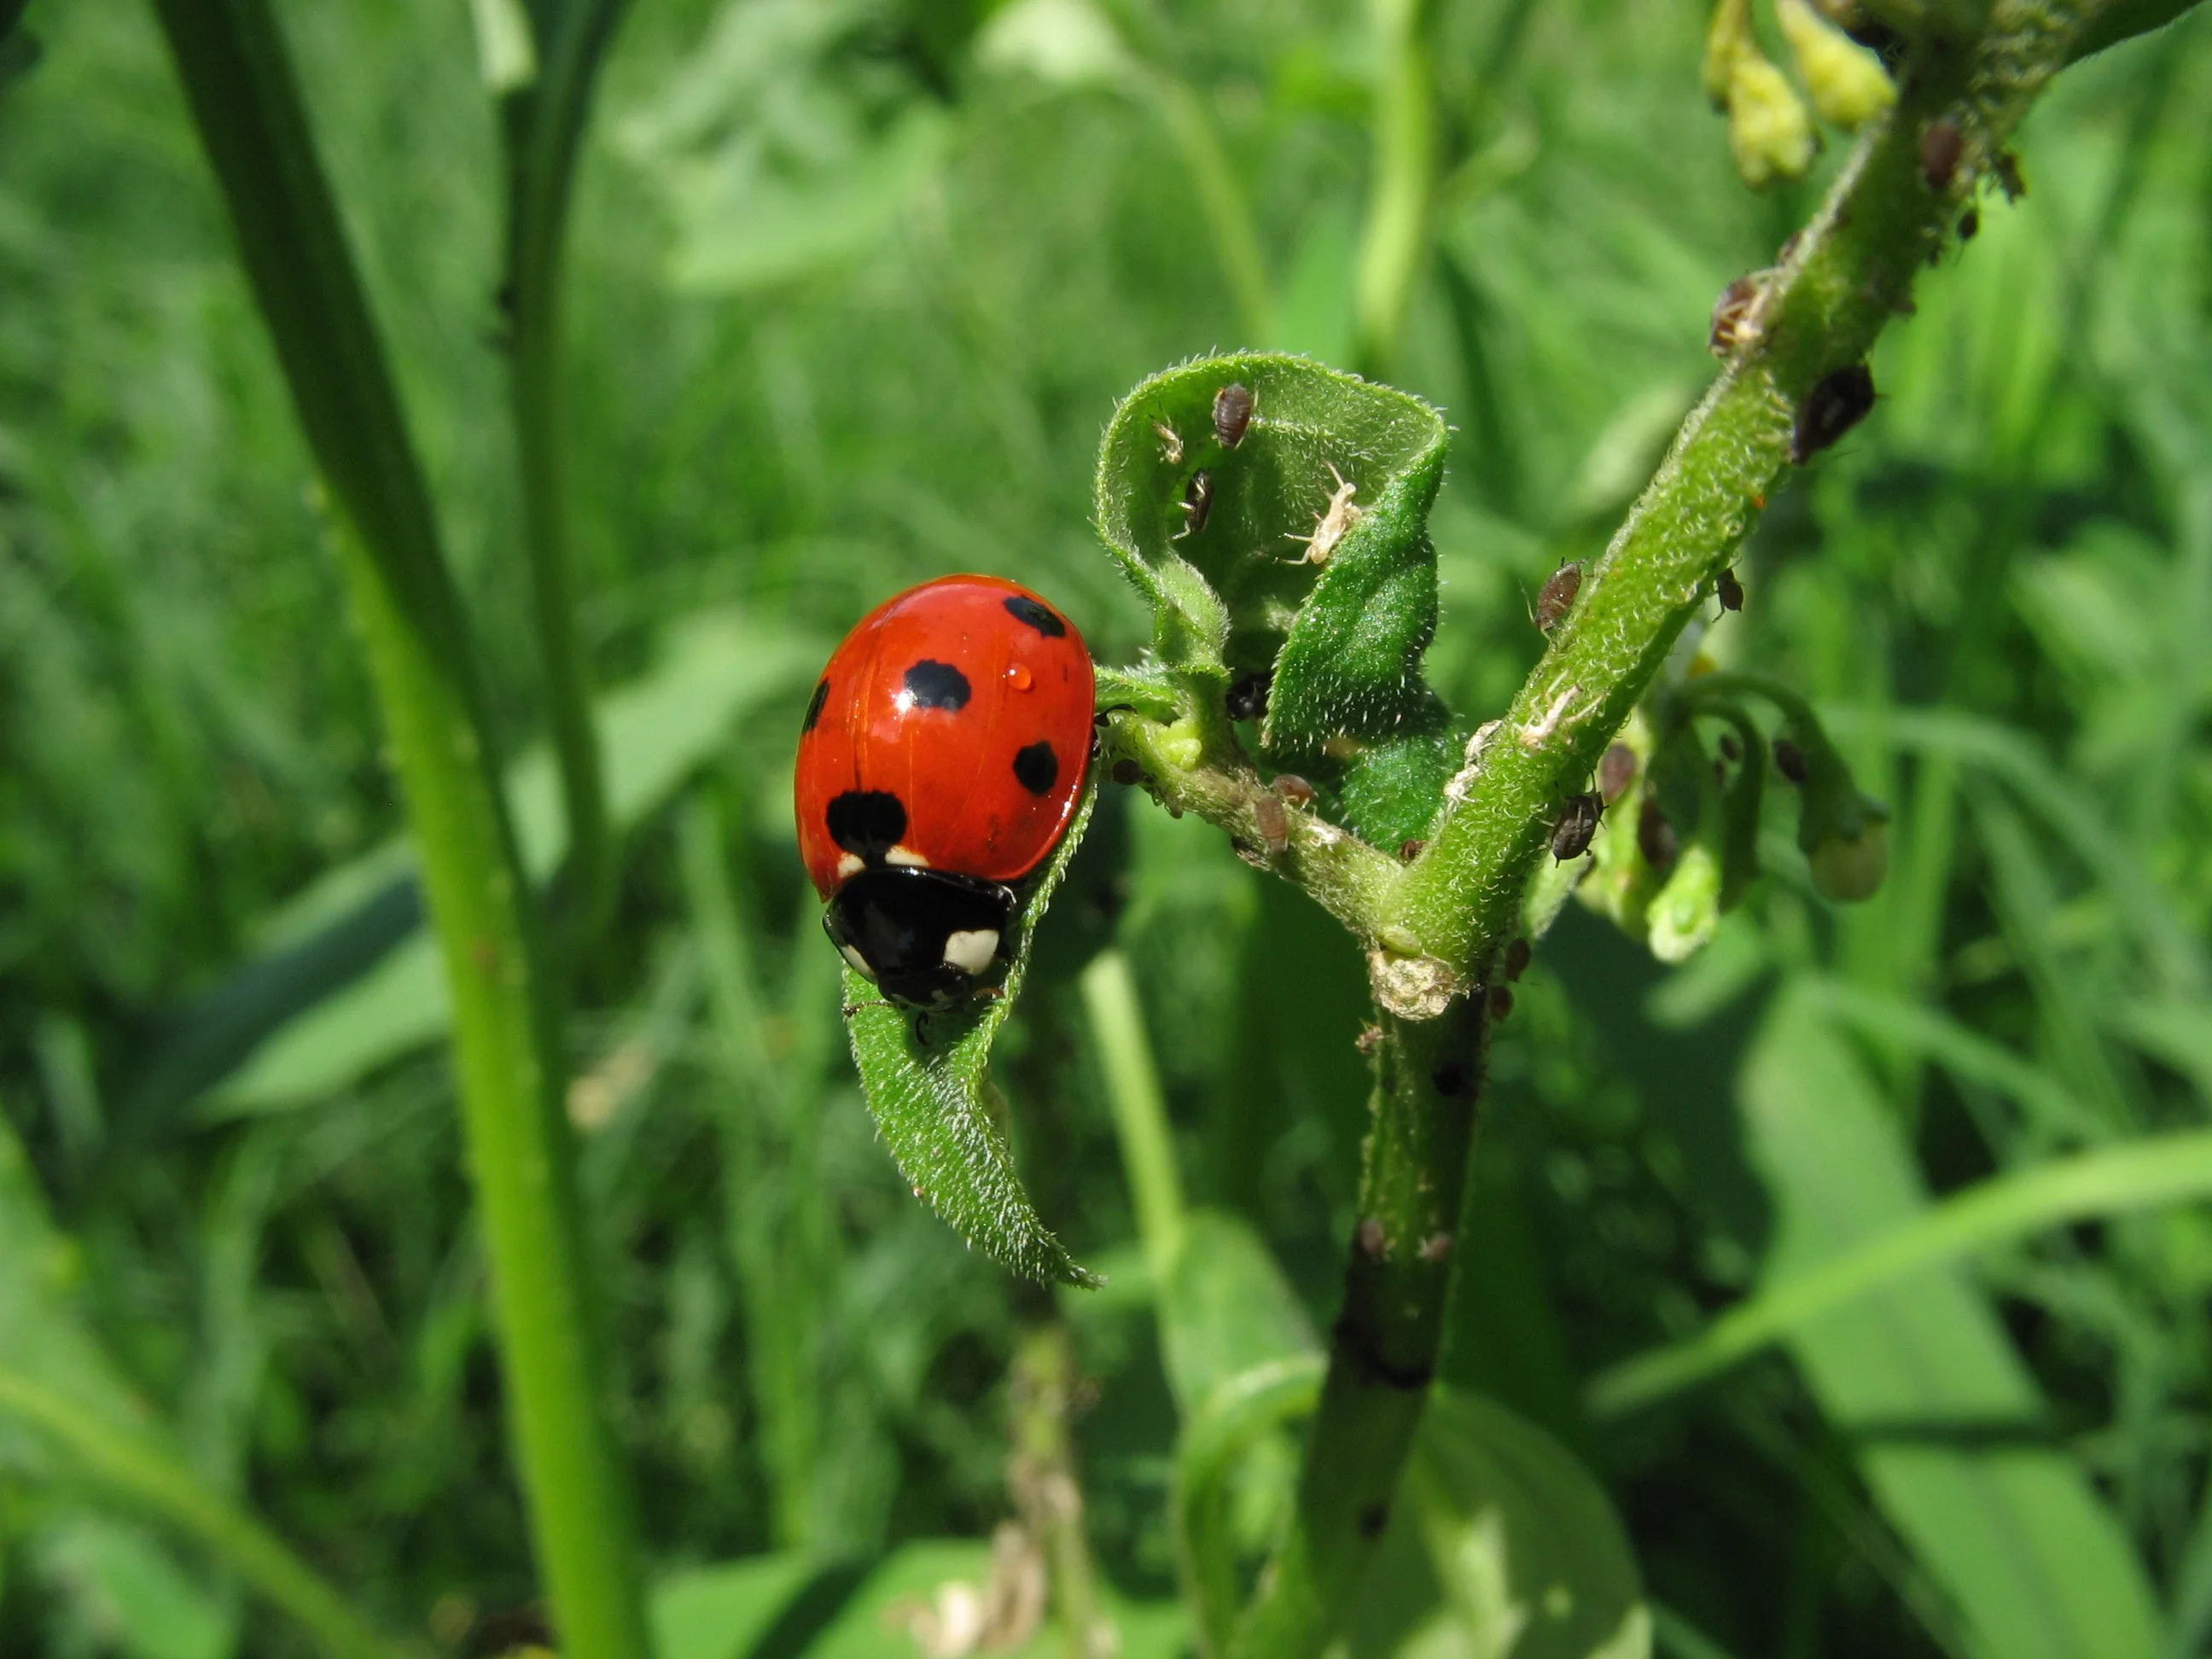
(941,762)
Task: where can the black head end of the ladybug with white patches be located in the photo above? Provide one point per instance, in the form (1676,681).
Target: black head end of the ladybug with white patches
(926,937)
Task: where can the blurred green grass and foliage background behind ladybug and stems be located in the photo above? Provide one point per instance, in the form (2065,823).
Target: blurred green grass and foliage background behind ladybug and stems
(853,293)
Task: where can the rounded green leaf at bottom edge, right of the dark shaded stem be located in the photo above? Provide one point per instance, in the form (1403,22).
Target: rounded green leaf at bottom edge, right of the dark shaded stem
(1501,1545)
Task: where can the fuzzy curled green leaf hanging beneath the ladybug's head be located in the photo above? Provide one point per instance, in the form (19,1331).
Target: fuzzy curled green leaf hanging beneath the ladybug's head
(928,1087)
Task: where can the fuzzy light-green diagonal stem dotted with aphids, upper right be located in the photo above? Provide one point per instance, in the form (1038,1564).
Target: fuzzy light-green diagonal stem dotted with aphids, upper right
(1822,311)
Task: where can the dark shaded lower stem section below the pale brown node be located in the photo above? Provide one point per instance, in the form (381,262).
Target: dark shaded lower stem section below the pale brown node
(1388,1335)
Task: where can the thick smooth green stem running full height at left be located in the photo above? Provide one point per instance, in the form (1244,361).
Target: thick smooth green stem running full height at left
(247,105)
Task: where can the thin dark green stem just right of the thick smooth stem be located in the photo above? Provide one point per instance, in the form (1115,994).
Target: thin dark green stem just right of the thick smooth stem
(545,125)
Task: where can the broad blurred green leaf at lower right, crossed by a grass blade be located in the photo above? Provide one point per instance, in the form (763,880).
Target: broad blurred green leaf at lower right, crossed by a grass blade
(2014,1534)
